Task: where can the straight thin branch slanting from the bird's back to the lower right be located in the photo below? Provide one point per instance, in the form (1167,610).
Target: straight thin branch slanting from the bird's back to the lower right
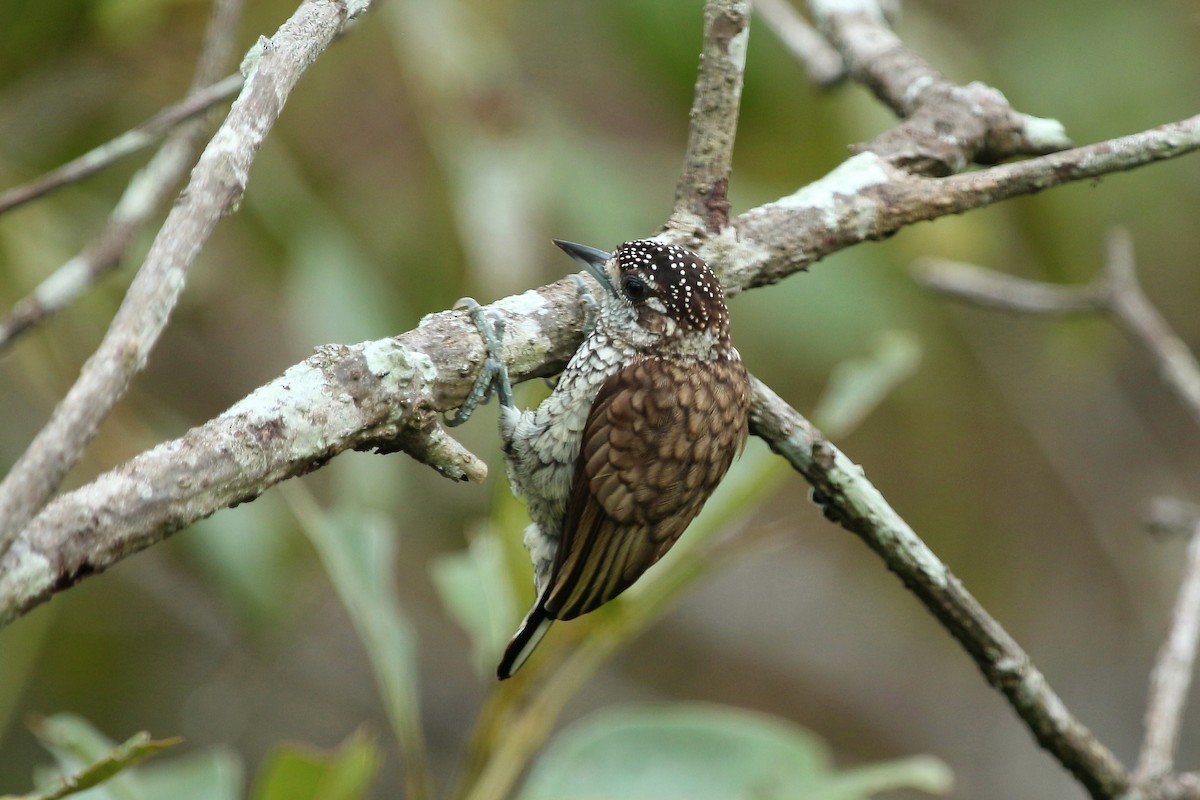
(850,500)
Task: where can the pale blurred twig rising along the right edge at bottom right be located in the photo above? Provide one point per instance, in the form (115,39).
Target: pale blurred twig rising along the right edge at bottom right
(1172,677)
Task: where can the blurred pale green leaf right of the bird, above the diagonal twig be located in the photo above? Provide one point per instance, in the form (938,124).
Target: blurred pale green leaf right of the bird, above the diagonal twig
(859,386)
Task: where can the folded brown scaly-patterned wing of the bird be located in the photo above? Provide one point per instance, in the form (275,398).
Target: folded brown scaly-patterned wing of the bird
(658,440)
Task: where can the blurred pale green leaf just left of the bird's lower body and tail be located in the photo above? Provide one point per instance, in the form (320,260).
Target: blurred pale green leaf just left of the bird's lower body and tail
(475,588)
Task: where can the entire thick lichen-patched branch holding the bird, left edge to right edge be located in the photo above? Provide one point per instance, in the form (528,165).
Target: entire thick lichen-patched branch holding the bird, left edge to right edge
(763,246)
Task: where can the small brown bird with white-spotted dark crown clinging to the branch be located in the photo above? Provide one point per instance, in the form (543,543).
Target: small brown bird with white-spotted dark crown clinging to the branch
(641,426)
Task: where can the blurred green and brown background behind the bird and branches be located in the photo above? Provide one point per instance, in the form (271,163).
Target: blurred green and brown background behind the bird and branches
(433,154)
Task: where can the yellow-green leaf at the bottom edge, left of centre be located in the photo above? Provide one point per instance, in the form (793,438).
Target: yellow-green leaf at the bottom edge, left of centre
(302,773)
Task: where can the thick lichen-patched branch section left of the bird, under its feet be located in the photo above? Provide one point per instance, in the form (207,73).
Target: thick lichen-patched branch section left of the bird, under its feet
(386,395)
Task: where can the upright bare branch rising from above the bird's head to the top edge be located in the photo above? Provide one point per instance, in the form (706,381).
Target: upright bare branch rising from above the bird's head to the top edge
(705,181)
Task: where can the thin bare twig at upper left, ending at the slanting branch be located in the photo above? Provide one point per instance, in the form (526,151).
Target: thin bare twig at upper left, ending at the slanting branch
(127,145)
